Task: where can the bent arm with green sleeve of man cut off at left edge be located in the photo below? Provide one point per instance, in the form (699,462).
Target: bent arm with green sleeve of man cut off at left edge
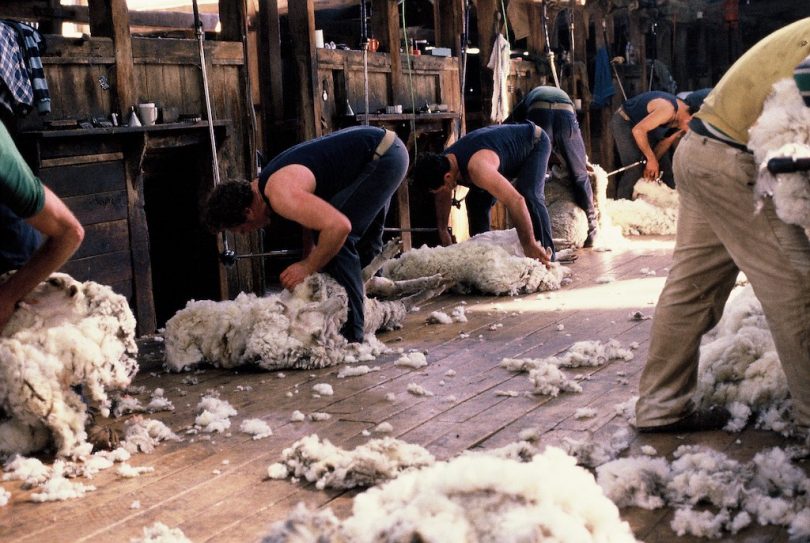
(29,199)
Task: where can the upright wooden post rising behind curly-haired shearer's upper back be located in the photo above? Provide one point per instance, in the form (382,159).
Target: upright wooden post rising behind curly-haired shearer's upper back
(301,16)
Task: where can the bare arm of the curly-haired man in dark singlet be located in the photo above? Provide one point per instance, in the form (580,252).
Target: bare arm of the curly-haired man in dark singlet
(290,193)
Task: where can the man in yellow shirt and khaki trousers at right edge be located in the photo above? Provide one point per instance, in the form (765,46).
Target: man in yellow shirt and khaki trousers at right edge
(719,234)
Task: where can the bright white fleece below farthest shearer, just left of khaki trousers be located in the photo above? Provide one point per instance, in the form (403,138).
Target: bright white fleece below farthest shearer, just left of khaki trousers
(654,211)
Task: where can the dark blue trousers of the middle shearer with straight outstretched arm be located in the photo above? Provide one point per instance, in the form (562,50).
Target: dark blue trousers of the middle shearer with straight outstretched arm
(531,184)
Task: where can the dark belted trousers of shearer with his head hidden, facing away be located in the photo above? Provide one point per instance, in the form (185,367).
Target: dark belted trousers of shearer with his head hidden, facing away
(563,130)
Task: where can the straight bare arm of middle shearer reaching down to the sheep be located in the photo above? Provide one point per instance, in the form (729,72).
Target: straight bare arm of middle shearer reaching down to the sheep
(483,168)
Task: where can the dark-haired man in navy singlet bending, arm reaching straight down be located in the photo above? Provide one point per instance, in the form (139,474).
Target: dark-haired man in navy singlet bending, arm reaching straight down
(484,160)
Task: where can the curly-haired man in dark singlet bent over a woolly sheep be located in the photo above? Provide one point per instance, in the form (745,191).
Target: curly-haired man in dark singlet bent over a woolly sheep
(339,186)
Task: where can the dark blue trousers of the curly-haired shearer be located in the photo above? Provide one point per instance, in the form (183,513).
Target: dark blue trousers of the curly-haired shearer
(365,203)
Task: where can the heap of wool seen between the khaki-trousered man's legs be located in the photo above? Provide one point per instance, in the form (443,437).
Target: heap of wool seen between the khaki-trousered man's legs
(739,367)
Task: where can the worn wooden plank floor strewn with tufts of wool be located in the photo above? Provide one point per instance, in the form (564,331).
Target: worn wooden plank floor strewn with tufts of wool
(216,490)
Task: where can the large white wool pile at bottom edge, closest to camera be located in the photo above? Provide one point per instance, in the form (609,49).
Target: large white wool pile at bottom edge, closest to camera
(473,498)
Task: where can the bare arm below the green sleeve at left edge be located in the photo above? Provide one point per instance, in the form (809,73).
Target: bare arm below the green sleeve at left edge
(64,235)
